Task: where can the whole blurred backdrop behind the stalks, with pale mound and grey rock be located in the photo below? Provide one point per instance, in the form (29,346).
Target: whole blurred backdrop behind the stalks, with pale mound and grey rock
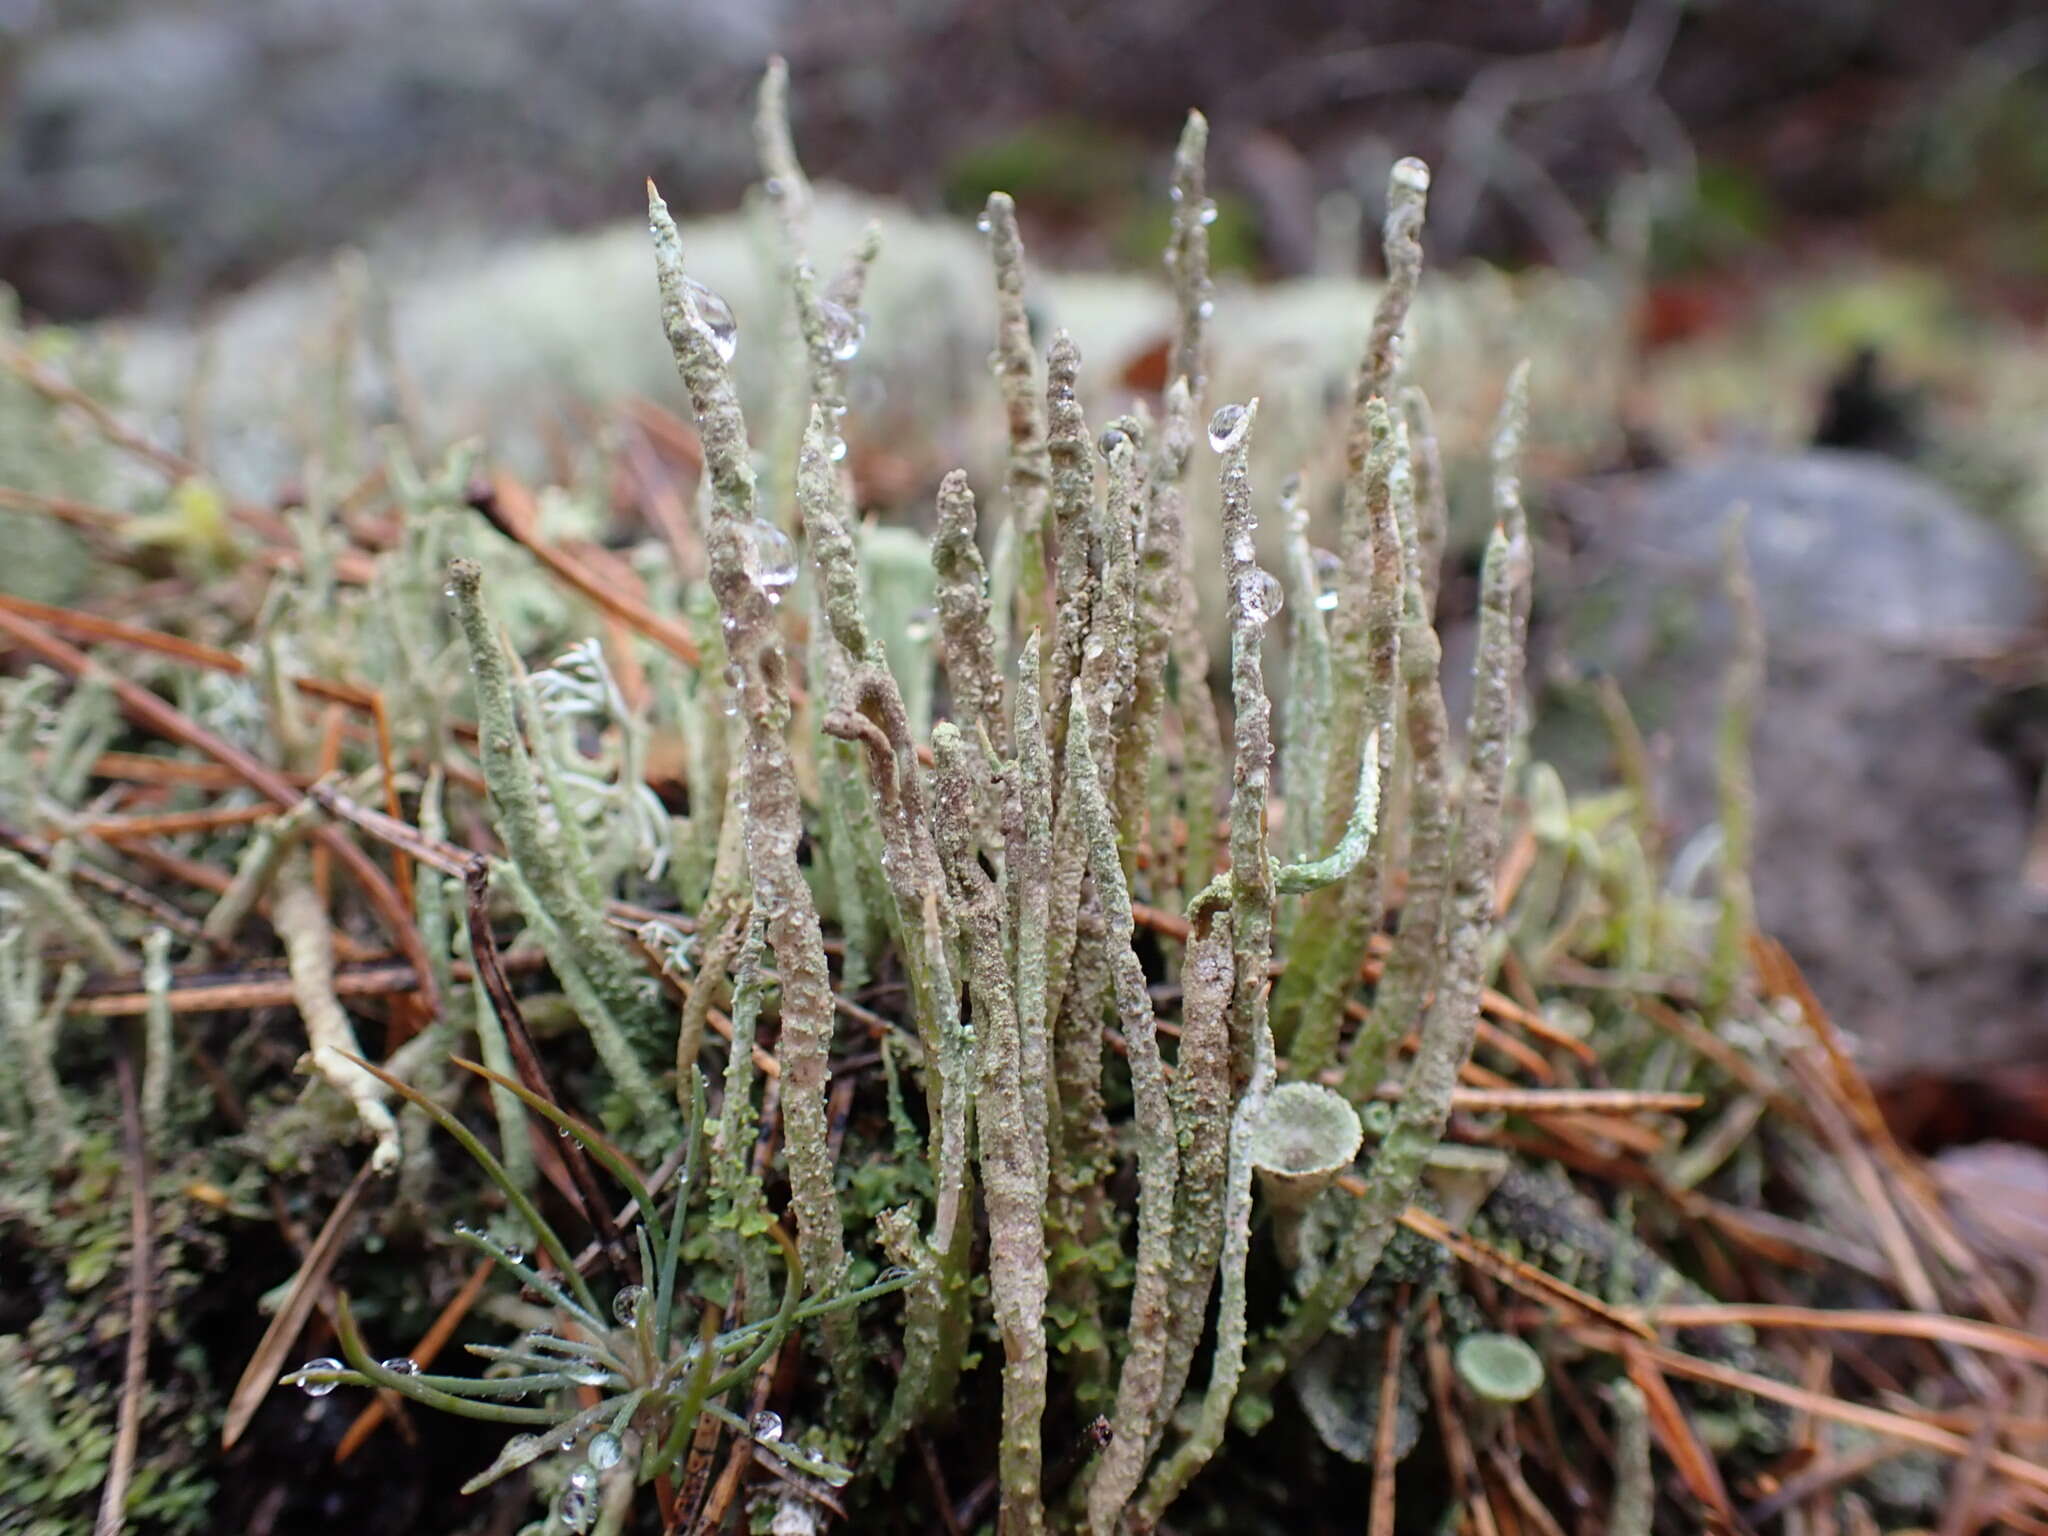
(1781,255)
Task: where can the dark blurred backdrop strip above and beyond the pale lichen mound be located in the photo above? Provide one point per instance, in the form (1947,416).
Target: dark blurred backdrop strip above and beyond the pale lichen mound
(163,155)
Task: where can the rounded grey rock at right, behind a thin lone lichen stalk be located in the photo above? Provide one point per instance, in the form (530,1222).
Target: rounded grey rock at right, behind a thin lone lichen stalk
(1891,835)
